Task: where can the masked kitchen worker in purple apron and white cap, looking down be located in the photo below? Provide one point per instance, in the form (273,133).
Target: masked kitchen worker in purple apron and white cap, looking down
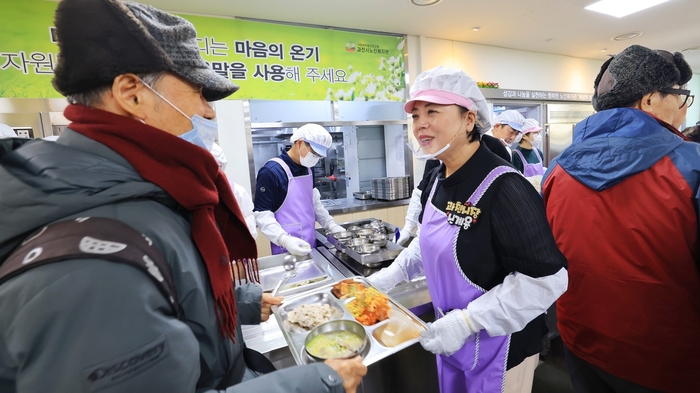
(287,206)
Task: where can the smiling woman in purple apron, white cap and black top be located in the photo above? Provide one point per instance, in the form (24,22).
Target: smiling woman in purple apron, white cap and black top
(490,260)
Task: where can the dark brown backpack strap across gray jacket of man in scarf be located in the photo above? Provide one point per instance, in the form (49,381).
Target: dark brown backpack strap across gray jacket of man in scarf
(93,237)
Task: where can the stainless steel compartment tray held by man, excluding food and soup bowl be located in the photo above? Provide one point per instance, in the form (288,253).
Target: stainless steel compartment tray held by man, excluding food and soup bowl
(374,349)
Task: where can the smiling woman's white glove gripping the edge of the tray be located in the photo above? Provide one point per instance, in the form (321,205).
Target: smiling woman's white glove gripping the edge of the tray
(448,334)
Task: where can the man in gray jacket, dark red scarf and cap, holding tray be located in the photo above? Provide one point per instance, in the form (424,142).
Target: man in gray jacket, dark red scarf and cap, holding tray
(118,241)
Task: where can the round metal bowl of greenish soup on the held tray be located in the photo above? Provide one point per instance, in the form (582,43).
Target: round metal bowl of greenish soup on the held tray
(339,326)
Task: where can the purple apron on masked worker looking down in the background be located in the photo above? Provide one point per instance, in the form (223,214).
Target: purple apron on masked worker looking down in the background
(296,215)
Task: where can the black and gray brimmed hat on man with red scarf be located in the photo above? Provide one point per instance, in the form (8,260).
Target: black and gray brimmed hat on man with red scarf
(102,39)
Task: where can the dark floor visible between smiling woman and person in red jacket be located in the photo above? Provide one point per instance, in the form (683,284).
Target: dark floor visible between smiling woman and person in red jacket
(551,375)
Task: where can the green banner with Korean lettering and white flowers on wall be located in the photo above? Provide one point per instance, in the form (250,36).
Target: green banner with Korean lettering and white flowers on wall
(269,61)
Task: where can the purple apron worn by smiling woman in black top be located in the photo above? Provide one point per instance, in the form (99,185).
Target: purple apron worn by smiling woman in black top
(480,365)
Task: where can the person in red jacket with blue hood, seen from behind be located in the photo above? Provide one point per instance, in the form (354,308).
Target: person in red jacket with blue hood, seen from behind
(622,201)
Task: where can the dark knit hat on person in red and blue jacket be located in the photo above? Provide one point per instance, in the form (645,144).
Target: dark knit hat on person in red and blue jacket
(634,72)
